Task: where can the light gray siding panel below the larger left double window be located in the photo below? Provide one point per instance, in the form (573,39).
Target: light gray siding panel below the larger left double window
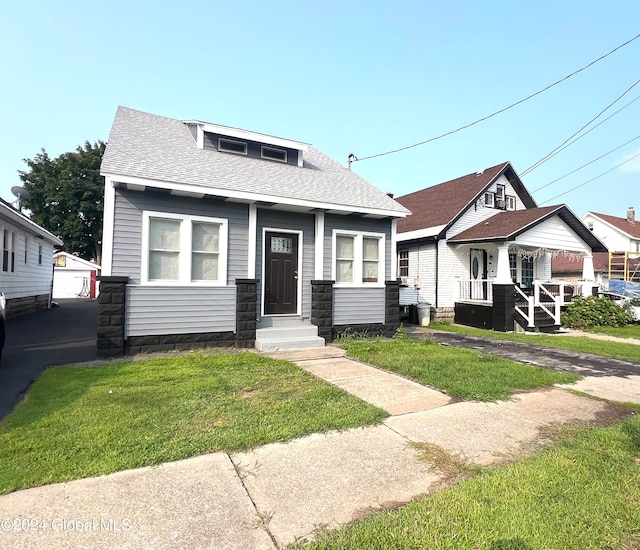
(155,310)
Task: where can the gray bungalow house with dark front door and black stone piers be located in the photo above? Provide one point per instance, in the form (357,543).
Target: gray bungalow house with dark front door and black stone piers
(217,236)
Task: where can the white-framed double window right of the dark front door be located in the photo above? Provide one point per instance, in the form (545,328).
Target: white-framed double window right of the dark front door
(358,258)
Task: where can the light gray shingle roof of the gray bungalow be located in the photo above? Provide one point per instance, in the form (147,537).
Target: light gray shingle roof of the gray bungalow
(164,150)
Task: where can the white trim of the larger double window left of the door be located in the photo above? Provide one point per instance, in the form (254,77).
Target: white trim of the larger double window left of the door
(185,250)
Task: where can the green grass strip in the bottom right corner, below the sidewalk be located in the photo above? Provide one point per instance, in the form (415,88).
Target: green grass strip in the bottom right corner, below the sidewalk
(582,493)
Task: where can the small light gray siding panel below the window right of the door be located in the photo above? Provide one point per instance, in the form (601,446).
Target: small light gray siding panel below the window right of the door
(353,306)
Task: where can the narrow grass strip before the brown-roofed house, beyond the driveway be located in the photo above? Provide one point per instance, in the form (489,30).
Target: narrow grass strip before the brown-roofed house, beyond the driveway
(584,344)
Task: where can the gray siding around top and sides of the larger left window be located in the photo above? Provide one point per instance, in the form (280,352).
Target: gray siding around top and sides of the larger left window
(127,233)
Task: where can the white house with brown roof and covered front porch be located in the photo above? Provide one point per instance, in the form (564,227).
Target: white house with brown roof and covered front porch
(479,250)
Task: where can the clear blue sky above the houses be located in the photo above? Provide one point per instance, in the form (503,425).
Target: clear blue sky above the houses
(348,77)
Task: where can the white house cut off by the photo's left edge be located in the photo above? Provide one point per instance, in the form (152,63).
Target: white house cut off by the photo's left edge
(26,265)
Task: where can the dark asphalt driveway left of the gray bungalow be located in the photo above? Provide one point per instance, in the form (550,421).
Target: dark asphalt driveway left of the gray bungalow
(57,336)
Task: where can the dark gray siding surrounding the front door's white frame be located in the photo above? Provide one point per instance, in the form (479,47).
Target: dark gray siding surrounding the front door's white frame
(294,222)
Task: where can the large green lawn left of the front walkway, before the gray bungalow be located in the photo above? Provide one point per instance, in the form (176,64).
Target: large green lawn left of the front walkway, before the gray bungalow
(81,422)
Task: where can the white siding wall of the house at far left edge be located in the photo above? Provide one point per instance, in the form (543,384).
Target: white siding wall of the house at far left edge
(30,279)
